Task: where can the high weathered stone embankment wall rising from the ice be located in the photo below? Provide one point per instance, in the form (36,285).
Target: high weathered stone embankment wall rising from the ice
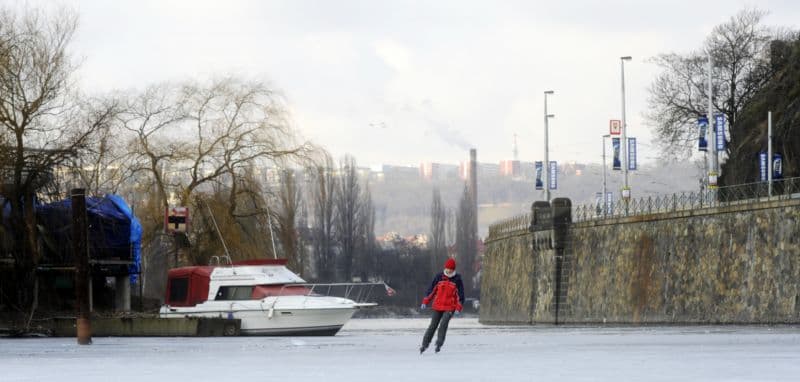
(733,264)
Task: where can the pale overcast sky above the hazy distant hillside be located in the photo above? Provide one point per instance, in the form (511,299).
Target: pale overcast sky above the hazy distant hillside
(401,82)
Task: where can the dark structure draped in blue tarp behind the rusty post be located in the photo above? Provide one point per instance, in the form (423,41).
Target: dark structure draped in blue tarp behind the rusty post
(114,244)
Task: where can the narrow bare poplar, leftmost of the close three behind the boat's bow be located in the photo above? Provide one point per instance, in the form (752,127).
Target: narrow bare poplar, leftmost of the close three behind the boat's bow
(325,186)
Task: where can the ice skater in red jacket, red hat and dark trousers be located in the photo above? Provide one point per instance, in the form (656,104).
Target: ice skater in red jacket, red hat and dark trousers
(447,292)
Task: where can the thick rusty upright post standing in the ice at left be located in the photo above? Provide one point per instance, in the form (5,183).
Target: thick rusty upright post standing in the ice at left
(81,254)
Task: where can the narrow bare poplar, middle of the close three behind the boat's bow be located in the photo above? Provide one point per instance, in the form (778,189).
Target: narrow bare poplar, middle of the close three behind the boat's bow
(348,209)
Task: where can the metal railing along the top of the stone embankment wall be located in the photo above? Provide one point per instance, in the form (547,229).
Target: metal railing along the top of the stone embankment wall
(741,194)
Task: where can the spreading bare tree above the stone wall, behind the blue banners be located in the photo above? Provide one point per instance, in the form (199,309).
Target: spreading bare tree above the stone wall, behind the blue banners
(739,49)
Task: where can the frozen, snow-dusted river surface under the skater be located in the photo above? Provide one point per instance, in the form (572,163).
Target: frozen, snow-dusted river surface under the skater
(386,350)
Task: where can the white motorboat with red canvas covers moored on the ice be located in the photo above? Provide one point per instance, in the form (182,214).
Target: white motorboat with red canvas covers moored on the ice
(267,297)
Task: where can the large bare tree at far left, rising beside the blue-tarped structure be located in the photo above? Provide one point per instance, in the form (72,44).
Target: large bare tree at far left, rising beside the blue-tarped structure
(43,121)
